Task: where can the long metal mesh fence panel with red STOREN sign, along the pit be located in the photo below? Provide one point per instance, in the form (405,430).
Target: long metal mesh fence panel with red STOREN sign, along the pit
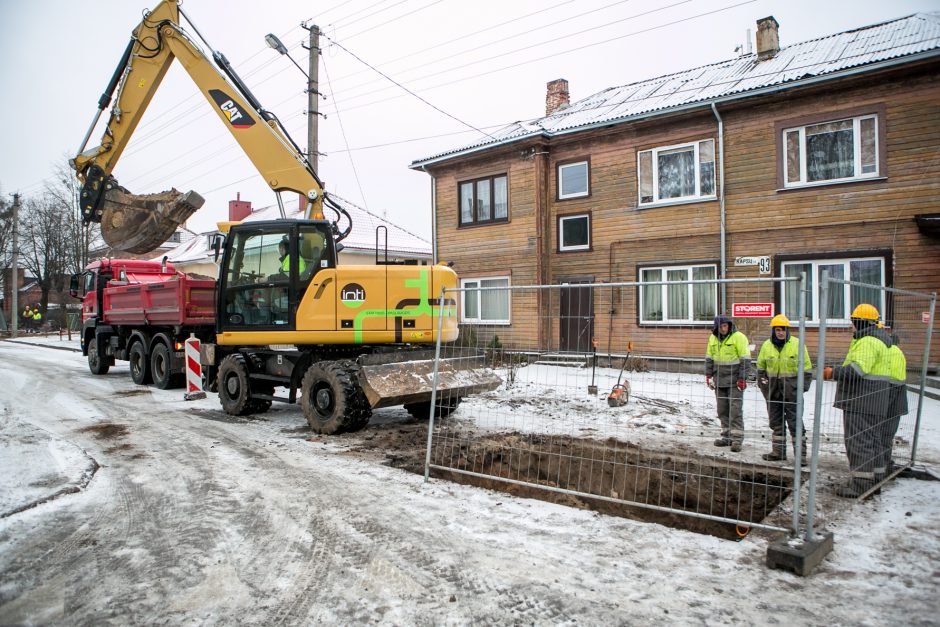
(604,396)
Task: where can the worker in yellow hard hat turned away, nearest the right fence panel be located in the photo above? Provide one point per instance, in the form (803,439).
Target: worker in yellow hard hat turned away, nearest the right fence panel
(862,394)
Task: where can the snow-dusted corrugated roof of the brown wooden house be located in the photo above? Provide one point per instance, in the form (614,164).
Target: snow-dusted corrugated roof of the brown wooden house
(862,49)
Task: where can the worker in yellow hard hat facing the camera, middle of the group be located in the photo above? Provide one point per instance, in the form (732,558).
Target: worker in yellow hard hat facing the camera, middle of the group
(778,365)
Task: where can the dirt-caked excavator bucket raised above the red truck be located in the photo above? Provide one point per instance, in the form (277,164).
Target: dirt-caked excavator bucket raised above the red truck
(139,223)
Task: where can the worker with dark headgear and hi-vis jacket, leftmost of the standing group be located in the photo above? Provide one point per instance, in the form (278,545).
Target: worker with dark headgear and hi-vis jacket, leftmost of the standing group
(727,358)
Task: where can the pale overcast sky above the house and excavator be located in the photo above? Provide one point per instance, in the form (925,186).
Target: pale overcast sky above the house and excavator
(485,63)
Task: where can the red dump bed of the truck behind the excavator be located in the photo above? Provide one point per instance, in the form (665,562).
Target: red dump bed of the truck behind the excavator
(176,301)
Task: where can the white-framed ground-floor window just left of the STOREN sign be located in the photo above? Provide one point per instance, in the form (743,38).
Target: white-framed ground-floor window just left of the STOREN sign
(691,303)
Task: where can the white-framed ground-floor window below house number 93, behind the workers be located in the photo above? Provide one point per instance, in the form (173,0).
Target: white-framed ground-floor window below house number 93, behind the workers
(843,298)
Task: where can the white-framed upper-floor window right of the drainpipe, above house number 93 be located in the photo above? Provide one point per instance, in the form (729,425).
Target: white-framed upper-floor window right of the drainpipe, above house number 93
(841,150)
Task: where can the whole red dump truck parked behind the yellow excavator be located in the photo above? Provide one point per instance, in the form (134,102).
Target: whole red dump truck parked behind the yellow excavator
(142,312)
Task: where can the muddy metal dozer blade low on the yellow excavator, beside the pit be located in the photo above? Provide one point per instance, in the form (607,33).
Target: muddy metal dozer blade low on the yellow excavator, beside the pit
(389,379)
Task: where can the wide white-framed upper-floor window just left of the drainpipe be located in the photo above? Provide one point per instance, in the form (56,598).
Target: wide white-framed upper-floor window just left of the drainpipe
(677,173)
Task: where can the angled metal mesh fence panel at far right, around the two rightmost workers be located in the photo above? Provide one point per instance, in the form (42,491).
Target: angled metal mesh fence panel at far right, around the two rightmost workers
(876,341)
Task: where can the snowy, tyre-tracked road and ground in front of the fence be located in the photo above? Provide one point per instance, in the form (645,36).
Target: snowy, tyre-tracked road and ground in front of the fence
(185,514)
